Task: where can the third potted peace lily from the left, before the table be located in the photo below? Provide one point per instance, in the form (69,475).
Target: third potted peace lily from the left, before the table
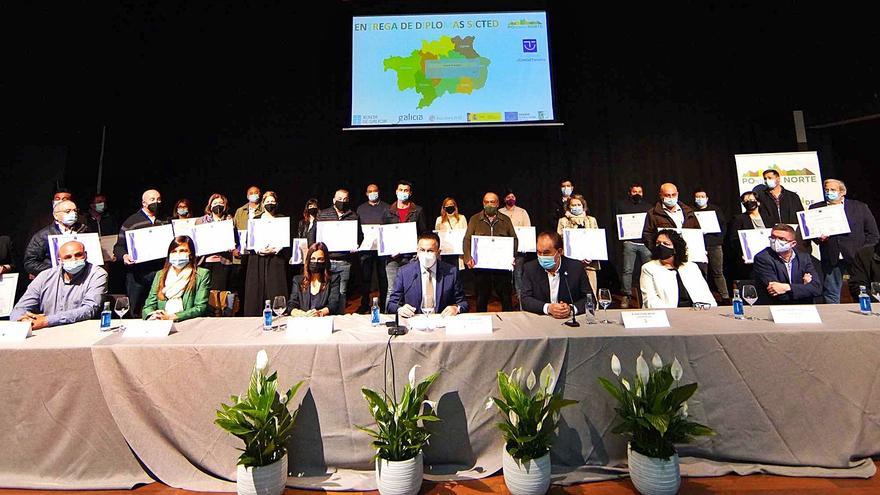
(530,419)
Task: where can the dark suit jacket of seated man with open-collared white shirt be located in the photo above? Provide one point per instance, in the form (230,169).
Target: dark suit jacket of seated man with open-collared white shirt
(535,291)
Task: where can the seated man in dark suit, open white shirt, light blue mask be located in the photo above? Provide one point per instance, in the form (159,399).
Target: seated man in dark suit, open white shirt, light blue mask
(544,291)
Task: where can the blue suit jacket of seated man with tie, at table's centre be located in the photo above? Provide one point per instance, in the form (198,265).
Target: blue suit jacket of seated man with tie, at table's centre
(408,288)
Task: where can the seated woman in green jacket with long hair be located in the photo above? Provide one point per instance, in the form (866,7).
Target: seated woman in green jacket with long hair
(180,289)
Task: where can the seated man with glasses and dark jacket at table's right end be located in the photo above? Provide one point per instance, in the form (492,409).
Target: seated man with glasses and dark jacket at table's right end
(784,275)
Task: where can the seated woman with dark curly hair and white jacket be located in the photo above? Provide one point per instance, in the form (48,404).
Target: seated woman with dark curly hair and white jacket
(670,280)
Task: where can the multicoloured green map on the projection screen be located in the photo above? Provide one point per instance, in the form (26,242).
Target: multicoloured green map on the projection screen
(446,65)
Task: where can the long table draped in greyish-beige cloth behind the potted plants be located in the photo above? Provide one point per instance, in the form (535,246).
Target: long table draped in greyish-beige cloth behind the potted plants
(92,410)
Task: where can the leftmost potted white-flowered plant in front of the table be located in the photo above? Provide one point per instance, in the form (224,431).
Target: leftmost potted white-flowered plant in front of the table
(263,421)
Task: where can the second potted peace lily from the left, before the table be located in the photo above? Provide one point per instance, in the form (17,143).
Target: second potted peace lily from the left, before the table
(400,434)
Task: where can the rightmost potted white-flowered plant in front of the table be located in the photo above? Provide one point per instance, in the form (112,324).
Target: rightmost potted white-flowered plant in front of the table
(653,416)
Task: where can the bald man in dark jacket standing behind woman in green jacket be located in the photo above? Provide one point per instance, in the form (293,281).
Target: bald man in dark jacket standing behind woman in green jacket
(139,277)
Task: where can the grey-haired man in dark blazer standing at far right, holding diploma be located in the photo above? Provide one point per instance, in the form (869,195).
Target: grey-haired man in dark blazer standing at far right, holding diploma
(838,251)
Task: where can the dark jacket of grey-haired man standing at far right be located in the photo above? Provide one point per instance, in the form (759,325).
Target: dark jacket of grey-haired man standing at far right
(863,232)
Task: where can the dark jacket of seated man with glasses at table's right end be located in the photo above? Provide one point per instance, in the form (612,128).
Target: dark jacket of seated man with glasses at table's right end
(769,267)
